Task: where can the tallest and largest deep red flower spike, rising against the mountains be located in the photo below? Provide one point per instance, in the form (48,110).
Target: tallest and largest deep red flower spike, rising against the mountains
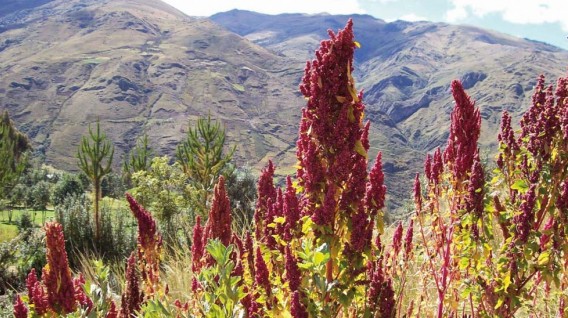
(332,141)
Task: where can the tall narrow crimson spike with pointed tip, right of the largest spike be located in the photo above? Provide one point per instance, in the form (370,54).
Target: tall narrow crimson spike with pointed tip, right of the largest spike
(464,133)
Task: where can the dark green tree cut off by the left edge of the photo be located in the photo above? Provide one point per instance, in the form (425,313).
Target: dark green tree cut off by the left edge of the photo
(13,148)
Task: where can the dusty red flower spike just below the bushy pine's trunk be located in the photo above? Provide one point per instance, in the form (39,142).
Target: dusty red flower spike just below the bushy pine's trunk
(219,221)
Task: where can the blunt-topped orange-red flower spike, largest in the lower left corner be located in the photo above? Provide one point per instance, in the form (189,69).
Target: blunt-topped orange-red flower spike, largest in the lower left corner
(56,274)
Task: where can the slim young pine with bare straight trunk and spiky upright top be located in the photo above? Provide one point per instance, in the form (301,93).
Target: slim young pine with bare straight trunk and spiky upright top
(93,152)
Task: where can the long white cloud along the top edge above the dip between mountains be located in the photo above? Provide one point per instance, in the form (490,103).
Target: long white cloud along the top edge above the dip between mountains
(207,8)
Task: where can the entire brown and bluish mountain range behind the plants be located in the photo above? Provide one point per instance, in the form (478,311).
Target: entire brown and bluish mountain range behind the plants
(142,66)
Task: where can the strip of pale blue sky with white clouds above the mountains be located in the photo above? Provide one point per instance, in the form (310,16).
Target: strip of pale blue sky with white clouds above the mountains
(541,20)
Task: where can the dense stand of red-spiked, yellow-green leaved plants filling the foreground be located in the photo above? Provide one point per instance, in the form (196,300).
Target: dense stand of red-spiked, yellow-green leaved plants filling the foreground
(479,243)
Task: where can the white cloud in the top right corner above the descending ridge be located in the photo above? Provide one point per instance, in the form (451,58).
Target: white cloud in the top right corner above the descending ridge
(514,11)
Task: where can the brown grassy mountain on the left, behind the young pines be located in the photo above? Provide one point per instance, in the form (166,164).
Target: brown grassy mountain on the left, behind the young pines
(140,66)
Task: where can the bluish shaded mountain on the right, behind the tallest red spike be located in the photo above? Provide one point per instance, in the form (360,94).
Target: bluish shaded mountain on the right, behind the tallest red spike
(405,70)
